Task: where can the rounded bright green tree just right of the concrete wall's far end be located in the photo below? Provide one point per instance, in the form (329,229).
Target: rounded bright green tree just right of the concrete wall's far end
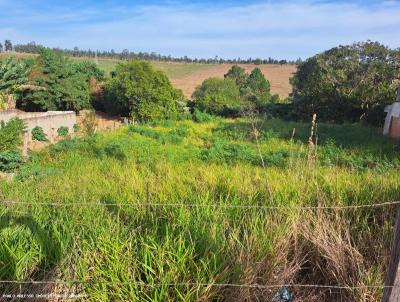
(139,91)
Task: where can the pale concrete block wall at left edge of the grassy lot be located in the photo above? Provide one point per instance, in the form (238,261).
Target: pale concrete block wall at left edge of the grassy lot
(50,121)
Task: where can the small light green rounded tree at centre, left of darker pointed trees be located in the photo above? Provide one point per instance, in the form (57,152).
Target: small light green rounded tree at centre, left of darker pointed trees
(217,96)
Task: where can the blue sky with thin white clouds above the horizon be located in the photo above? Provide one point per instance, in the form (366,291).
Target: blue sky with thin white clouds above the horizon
(228,29)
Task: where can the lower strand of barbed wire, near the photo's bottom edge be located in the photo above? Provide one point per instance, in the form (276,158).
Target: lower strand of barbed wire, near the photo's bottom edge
(258,286)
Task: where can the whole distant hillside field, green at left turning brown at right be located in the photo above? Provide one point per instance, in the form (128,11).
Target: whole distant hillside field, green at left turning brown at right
(187,76)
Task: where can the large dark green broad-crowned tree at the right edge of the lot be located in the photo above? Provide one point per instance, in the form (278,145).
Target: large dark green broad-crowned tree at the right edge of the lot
(350,83)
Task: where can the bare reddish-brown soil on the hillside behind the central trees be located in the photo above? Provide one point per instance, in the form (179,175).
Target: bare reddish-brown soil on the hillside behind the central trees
(278,75)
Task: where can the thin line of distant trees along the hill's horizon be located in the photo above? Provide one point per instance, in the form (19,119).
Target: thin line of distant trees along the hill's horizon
(34,48)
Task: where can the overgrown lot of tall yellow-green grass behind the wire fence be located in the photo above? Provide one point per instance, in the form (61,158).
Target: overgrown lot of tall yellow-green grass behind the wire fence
(94,231)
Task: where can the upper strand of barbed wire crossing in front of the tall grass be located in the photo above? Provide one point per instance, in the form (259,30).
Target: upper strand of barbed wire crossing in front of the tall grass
(199,205)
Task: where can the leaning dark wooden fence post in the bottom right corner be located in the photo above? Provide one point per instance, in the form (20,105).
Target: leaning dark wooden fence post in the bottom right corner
(392,293)
